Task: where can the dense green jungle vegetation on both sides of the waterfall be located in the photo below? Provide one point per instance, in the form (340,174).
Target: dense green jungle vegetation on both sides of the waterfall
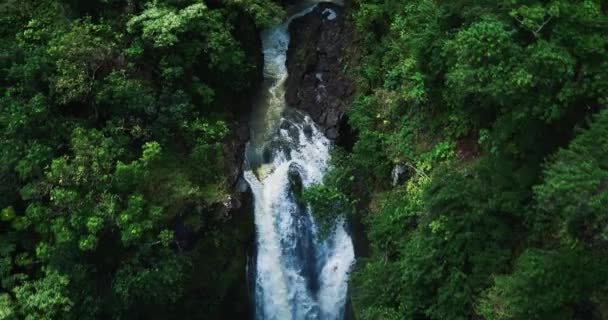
(114,121)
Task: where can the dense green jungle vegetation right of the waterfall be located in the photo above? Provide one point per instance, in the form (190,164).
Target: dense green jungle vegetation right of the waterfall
(495,112)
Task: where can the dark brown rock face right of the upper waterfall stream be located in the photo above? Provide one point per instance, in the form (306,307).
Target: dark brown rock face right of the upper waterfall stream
(317,60)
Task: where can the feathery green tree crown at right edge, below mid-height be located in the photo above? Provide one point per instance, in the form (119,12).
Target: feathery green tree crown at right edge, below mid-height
(574,194)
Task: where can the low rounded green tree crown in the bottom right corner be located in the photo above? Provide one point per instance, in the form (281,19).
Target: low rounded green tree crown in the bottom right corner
(524,295)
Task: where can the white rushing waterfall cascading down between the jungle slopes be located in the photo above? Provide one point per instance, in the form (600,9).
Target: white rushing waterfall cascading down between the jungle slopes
(297,275)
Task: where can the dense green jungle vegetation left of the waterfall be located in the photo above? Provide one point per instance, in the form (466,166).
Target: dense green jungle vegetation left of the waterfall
(113,115)
